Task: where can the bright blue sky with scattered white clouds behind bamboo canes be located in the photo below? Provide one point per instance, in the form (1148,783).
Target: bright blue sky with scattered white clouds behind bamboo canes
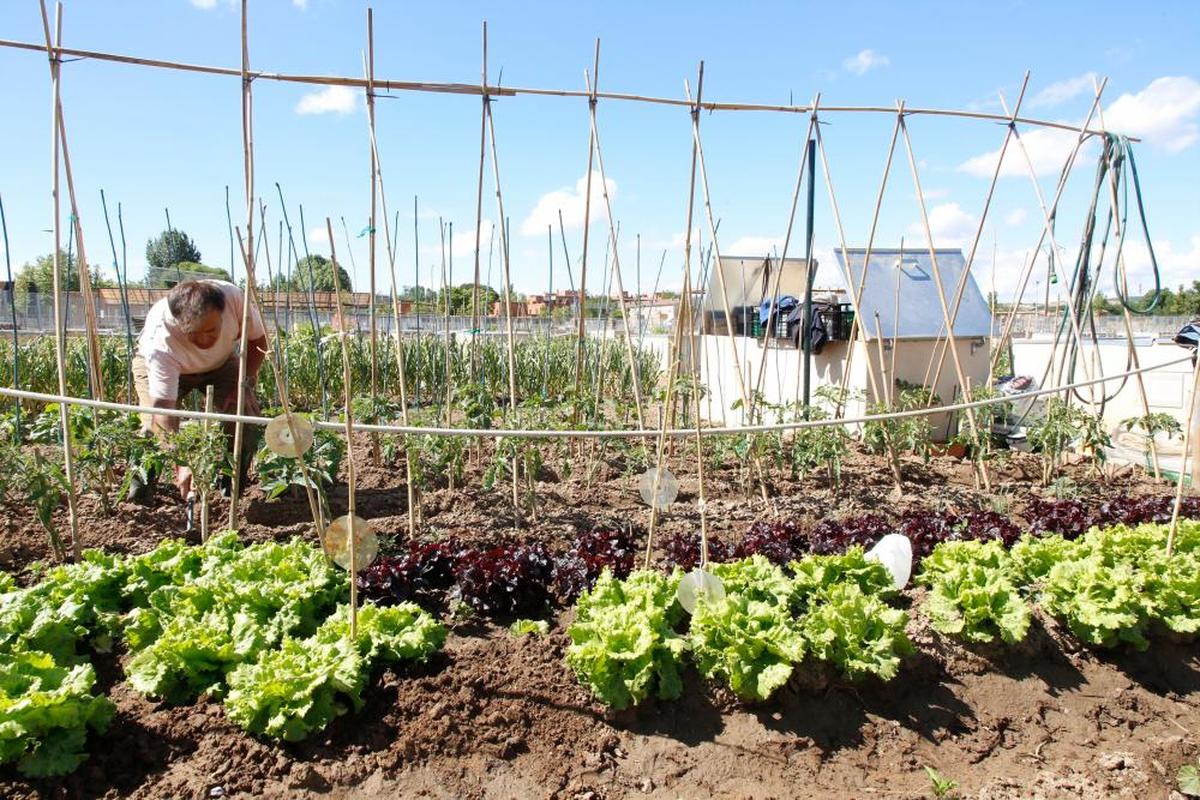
(158,140)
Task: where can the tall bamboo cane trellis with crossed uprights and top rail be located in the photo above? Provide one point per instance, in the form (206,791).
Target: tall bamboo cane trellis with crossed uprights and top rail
(374,86)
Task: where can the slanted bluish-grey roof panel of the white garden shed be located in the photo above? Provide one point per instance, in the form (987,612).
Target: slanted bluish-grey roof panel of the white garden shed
(910,273)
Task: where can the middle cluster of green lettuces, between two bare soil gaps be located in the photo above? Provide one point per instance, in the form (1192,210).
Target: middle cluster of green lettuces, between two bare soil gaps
(625,645)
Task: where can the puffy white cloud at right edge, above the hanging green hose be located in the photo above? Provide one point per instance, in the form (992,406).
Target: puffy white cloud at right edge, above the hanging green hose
(1165,113)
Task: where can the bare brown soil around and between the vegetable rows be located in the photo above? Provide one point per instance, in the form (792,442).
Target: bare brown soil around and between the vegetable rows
(495,717)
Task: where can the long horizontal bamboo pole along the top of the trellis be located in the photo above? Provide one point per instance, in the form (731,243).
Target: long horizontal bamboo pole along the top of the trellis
(514,92)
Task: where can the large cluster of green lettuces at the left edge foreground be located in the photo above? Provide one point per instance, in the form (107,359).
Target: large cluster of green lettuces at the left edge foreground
(266,628)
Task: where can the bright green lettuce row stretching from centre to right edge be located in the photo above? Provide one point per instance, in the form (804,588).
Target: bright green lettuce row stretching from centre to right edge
(1113,586)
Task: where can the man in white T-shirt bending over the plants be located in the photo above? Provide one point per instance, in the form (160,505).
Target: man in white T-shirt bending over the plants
(190,342)
